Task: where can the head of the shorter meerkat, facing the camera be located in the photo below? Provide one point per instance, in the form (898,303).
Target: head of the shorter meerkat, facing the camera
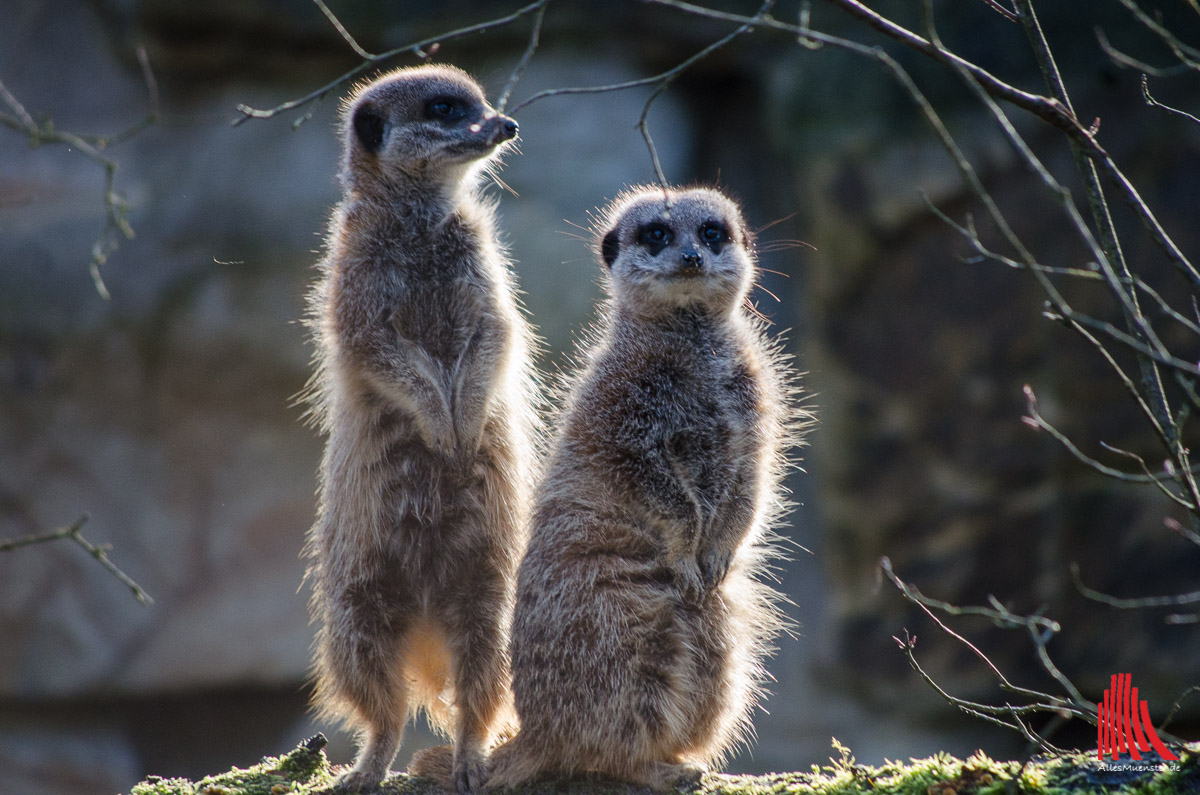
(695,253)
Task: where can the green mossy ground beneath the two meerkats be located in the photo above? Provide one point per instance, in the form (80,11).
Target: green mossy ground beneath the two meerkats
(307,772)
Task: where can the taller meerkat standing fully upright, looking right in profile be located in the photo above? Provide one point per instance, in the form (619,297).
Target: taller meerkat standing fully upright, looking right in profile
(423,386)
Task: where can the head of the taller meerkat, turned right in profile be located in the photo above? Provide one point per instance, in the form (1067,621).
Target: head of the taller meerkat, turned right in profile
(421,124)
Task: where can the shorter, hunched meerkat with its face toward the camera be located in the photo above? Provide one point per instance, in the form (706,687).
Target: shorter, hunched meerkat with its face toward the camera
(641,627)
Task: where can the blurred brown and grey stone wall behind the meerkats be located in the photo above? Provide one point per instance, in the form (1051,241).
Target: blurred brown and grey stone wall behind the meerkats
(167,413)
